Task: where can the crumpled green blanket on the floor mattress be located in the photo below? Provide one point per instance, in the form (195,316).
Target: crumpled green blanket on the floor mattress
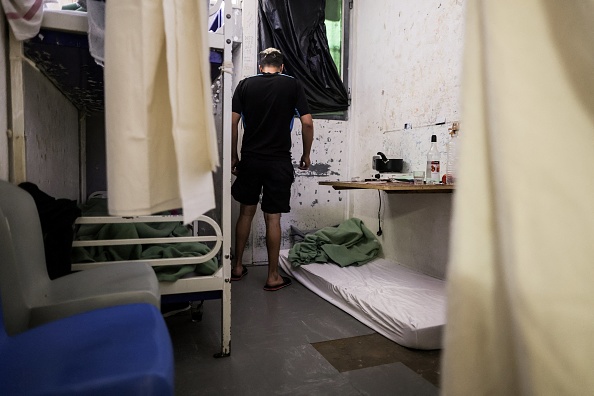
(350,243)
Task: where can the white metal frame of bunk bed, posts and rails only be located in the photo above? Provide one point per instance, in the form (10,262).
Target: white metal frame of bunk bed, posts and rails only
(188,289)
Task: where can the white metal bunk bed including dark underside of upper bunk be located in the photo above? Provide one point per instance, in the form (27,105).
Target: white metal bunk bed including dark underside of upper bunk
(61,52)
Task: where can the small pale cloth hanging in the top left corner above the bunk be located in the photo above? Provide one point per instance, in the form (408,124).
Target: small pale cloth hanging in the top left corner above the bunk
(24,17)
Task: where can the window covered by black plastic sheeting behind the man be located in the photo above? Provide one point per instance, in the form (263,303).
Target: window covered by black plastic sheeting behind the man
(313,37)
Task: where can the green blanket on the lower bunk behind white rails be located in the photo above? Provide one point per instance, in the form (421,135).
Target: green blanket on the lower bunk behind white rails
(86,232)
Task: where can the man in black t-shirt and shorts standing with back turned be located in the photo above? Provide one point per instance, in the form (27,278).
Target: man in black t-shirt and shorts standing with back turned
(267,104)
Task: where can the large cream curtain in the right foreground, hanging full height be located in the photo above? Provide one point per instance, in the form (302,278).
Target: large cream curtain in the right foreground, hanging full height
(520,315)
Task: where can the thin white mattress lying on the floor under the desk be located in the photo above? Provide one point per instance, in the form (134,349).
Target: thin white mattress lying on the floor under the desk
(403,305)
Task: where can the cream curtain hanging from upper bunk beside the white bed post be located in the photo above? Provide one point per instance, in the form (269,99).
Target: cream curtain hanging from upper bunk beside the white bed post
(160,135)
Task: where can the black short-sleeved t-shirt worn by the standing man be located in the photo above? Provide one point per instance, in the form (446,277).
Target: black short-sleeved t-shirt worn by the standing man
(268,103)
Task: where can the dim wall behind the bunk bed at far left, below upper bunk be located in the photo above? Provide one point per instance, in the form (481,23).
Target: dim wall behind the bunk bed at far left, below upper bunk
(51,130)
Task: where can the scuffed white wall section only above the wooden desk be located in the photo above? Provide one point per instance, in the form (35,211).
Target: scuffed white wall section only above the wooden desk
(416,80)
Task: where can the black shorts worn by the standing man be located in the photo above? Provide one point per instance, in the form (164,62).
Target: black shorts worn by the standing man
(272,178)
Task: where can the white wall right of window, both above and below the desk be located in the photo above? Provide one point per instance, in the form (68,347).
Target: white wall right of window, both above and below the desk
(406,68)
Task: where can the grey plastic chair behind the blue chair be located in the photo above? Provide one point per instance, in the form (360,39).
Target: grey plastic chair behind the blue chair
(31,298)
